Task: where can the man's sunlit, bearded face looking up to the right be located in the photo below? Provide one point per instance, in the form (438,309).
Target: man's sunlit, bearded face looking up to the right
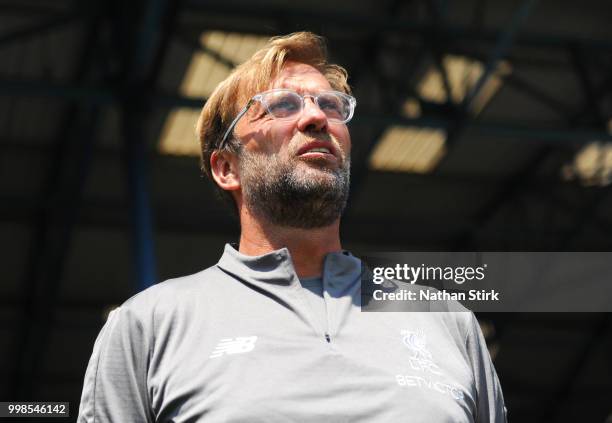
(281,179)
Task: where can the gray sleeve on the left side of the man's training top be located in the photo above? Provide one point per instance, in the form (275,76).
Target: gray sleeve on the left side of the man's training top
(115,388)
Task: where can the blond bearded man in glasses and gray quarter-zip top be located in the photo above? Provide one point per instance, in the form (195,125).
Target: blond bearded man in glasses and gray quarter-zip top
(274,331)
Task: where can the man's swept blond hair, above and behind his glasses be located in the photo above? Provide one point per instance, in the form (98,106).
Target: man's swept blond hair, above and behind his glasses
(254,76)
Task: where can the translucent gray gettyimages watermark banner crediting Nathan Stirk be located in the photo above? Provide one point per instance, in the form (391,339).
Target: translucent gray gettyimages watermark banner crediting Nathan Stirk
(487,281)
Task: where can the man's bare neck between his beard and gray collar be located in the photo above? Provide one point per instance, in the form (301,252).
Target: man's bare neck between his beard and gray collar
(308,247)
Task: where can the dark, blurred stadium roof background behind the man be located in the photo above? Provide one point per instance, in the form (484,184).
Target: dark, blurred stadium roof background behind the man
(91,210)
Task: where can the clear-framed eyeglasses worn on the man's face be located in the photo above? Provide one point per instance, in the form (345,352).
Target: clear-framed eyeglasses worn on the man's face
(285,104)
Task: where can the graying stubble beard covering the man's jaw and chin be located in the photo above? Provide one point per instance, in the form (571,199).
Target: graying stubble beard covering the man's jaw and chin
(287,192)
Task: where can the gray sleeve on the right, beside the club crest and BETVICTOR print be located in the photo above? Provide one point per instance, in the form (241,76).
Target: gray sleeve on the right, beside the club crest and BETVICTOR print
(490,407)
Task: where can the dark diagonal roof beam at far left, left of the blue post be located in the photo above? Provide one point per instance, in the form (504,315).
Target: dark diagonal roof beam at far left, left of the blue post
(52,227)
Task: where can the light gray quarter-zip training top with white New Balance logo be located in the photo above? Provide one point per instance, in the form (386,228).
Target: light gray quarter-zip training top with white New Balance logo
(242,341)
